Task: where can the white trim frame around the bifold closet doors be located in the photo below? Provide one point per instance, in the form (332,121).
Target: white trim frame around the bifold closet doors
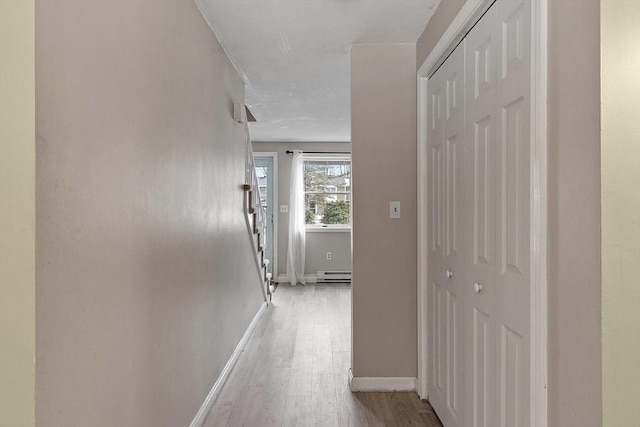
(466,18)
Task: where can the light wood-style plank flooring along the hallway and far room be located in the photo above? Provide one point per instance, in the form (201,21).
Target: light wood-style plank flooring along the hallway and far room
(293,371)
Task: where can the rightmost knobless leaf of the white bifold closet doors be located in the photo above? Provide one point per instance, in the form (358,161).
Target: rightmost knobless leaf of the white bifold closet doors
(512,285)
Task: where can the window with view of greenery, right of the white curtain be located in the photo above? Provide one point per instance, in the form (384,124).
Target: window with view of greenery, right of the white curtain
(327,183)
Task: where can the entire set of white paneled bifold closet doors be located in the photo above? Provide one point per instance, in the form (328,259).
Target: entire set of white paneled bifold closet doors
(479,195)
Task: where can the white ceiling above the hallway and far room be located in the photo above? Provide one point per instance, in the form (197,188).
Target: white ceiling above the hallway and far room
(294,56)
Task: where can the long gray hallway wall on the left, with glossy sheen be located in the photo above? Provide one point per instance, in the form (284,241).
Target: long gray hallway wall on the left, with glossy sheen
(144,283)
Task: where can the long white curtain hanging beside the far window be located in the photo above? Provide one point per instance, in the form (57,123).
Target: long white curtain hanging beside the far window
(297,233)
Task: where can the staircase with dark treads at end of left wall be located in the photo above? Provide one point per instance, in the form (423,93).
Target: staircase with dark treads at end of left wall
(255,217)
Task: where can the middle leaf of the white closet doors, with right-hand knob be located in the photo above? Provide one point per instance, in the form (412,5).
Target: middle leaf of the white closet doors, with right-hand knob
(481,263)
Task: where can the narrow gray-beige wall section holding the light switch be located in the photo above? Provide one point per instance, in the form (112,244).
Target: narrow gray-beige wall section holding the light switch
(383,131)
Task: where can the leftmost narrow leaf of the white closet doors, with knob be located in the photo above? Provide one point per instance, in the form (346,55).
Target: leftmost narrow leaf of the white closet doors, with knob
(446,204)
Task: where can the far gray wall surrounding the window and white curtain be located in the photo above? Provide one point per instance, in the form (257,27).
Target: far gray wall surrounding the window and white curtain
(318,243)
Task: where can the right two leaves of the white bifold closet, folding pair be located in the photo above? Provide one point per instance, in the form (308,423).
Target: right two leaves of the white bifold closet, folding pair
(497,288)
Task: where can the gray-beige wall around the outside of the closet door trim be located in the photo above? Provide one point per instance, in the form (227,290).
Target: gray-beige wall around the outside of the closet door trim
(574,276)
